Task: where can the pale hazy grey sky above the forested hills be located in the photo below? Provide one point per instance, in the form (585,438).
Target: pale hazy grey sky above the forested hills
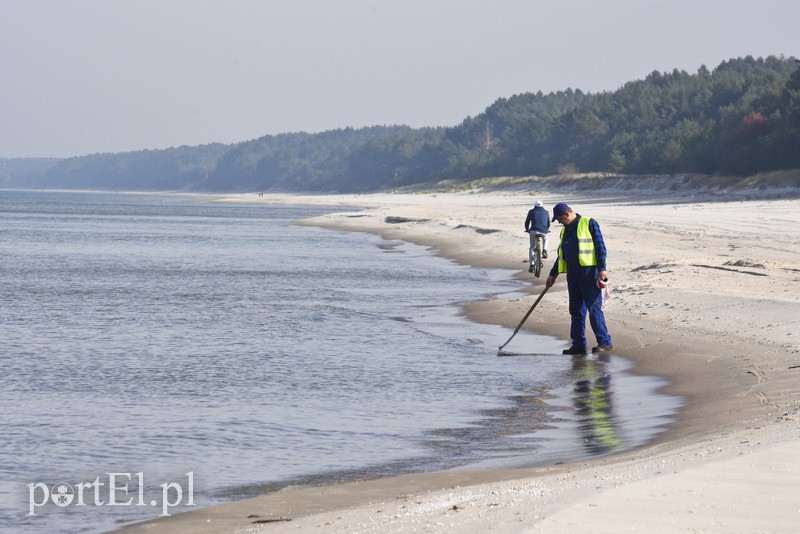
(90,76)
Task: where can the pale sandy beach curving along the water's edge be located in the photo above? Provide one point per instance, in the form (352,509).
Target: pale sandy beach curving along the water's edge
(704,293)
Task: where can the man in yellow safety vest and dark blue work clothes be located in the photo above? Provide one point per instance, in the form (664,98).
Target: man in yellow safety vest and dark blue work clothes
(582,256)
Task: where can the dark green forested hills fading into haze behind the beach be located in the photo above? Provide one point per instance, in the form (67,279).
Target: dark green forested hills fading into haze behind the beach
(740,118)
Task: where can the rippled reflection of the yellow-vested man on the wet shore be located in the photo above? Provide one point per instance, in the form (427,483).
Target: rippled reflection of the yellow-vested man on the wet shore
(593,403)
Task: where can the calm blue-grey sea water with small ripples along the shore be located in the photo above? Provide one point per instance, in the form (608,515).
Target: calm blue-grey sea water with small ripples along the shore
(224,351)
